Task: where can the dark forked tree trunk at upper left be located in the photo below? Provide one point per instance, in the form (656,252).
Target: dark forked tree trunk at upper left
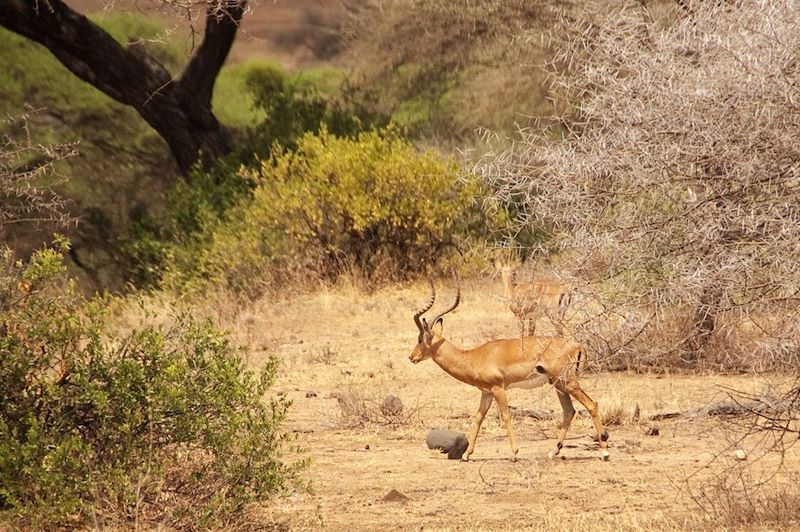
(178,108)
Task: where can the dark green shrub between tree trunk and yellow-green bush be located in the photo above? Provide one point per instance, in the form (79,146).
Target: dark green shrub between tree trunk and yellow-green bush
(291,106)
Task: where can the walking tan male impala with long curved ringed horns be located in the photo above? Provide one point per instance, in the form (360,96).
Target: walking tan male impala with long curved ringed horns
(496,366)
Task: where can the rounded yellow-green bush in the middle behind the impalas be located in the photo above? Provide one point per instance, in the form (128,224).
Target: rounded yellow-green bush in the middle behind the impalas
(372,205)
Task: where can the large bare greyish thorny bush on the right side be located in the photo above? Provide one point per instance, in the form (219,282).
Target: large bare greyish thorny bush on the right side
(675,185)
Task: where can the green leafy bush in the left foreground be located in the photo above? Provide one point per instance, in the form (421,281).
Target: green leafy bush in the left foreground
(162,421)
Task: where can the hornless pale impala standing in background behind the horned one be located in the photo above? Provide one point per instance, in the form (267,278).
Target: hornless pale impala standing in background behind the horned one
(530,301)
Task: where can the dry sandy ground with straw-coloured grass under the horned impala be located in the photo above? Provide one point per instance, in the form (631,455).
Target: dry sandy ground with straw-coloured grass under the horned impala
(343,341)
